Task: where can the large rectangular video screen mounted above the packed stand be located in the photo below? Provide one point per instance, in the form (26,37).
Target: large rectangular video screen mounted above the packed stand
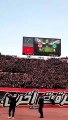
(41,46)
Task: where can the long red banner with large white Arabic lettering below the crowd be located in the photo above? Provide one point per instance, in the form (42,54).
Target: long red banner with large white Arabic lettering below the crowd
(28,97)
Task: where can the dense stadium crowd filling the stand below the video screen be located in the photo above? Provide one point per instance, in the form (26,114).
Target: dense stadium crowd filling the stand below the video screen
(33,73)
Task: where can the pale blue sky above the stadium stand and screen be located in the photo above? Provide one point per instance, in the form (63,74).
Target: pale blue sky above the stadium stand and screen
(35,18)
